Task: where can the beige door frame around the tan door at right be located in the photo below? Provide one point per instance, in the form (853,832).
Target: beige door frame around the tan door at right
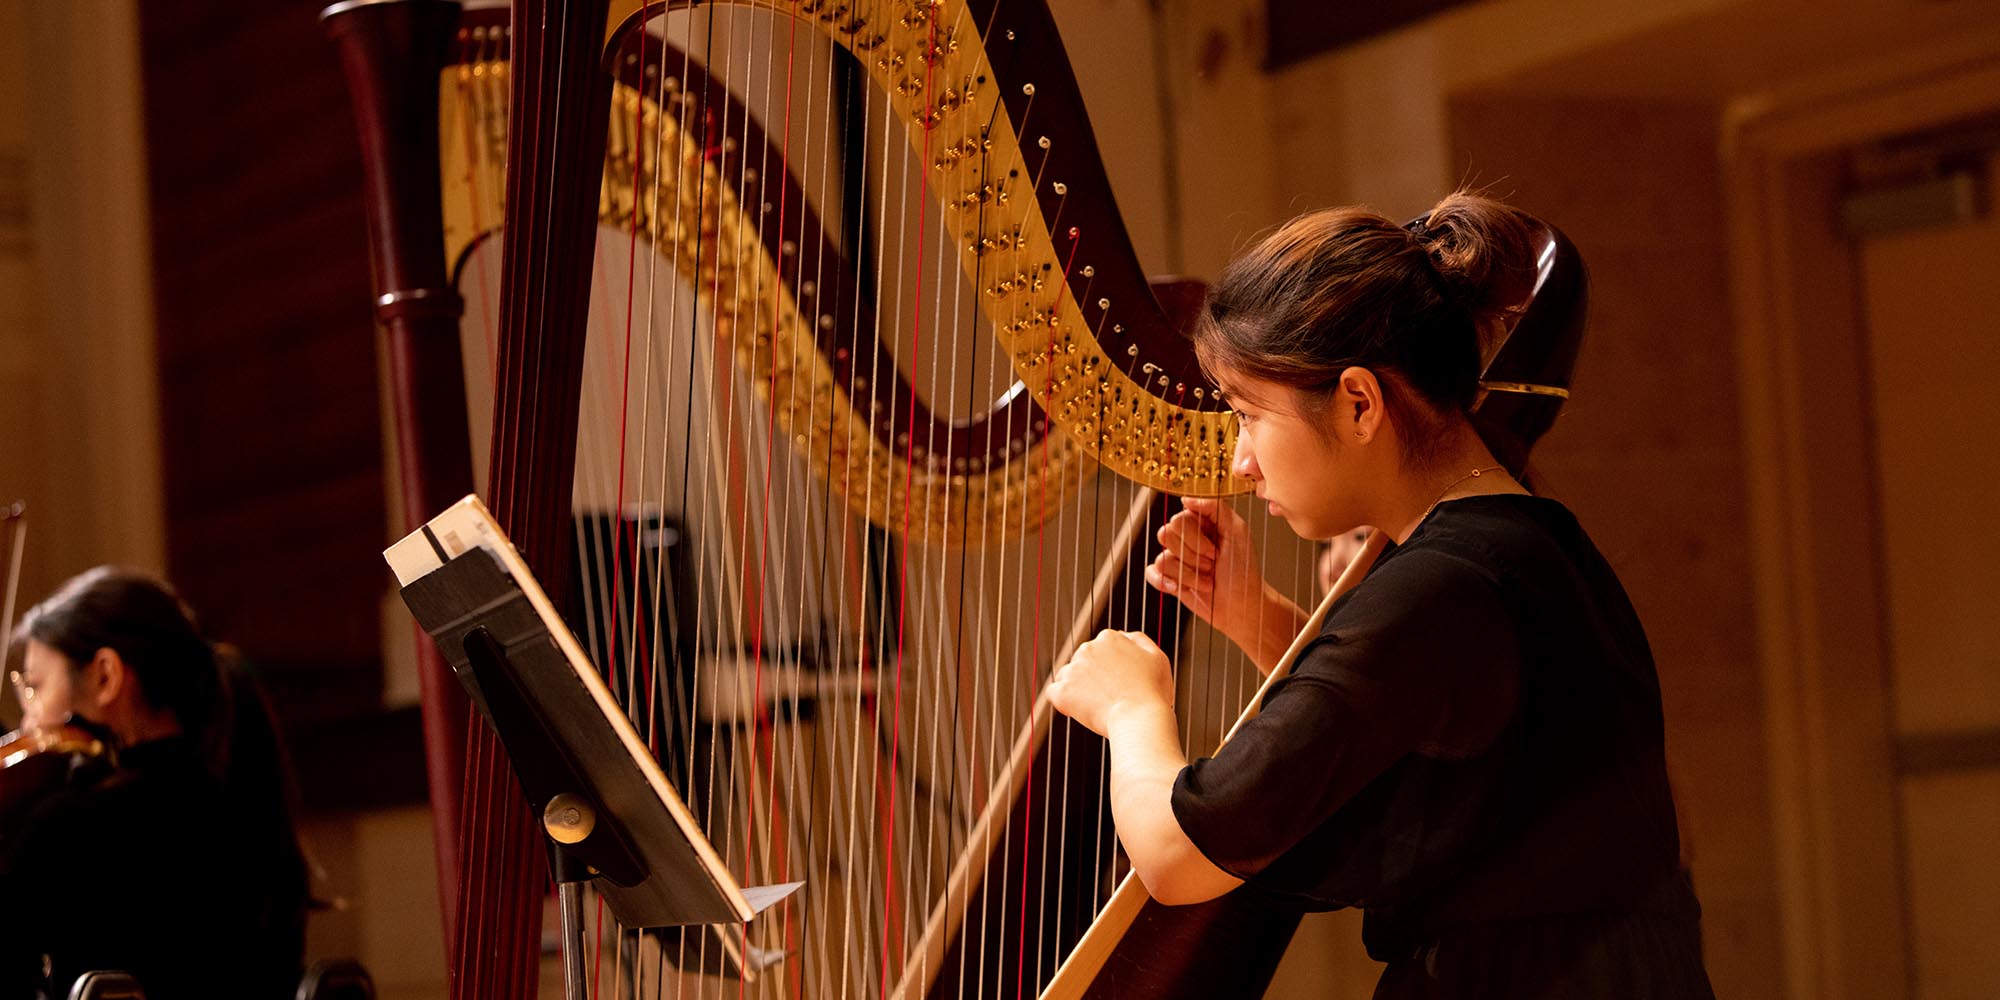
(1811,477)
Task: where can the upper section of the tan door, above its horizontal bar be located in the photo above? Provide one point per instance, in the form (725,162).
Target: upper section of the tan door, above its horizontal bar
(1933,313)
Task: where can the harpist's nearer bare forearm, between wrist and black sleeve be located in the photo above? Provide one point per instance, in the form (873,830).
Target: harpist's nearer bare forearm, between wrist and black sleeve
(1147,759)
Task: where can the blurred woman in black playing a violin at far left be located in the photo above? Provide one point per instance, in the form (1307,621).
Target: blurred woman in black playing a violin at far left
(177,863)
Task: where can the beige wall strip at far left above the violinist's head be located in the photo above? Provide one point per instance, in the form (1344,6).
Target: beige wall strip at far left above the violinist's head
(79,431)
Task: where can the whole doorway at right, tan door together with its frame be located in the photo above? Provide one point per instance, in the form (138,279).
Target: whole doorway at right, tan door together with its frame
(1871,331)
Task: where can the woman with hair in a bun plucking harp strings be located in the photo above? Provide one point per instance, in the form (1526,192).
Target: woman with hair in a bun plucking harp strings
(1471,749)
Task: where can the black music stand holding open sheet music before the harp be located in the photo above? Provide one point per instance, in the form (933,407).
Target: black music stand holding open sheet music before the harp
(605,803)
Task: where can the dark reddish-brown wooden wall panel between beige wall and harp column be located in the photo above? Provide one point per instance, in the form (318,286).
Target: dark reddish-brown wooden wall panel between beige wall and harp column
(273,445)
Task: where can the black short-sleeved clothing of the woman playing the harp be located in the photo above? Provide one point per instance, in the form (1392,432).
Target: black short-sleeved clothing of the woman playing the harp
(1473,753)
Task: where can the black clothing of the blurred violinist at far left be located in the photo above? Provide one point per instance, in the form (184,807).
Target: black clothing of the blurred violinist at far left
(161,875)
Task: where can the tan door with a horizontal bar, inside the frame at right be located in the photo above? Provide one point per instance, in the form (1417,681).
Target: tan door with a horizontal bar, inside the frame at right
(1931,321)
